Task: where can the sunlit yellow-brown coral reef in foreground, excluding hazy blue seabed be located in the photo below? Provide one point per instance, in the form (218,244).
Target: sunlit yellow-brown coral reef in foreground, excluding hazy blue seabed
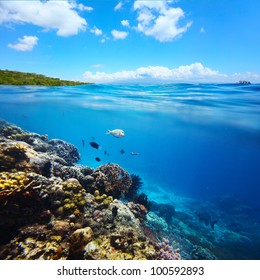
(53,209)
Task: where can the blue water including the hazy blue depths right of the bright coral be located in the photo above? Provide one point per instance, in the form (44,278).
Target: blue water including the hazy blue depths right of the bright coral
(197,149)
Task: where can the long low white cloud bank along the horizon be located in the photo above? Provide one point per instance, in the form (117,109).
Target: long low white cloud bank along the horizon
(192,72)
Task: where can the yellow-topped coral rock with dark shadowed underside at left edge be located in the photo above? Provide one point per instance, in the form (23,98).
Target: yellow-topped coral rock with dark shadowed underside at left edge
(23,196)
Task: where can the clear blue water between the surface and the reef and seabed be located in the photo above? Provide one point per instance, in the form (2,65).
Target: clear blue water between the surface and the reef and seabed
(195,140)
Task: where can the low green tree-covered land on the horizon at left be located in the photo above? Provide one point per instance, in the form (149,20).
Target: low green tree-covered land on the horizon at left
(22,78)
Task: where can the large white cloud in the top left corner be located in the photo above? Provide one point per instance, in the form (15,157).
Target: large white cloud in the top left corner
(57,15)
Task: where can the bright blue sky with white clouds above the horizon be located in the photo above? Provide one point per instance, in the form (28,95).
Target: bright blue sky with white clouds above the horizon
(117,41)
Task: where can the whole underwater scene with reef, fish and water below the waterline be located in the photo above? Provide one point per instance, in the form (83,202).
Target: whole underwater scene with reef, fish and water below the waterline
(169,171)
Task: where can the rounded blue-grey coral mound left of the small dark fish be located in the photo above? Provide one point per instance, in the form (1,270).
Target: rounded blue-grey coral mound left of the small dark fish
(64,150)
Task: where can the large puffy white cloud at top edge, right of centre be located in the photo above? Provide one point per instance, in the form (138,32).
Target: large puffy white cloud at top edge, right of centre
(160,20)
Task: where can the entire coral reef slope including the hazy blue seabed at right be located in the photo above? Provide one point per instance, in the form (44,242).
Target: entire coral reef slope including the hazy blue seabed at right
(52,208)
